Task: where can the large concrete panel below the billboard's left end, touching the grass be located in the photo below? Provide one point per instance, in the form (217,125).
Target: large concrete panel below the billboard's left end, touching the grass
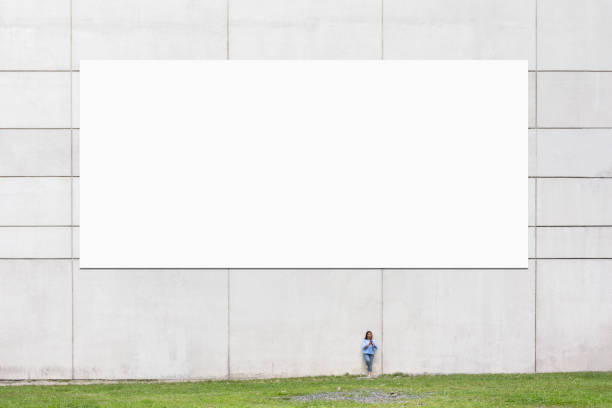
(150,323)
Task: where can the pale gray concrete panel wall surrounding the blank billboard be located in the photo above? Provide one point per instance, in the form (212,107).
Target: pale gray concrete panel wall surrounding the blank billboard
(59,322)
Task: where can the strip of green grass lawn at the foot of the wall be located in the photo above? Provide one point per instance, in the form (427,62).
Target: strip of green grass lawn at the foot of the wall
(524,390)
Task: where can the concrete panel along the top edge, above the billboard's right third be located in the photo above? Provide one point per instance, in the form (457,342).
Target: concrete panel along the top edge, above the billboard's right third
(460,29)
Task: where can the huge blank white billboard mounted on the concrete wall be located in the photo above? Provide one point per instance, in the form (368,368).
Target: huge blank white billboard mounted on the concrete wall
(303,164)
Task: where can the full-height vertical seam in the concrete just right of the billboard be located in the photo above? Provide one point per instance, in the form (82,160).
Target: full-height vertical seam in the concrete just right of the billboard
(535,203)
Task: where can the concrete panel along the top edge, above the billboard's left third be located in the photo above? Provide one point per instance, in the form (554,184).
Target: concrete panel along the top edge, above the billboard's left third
(148,29)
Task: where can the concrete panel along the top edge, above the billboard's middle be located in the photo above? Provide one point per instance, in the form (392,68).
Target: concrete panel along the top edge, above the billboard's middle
(299,29)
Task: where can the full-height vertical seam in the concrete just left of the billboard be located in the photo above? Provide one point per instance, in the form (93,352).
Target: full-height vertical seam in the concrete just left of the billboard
(71,213)
